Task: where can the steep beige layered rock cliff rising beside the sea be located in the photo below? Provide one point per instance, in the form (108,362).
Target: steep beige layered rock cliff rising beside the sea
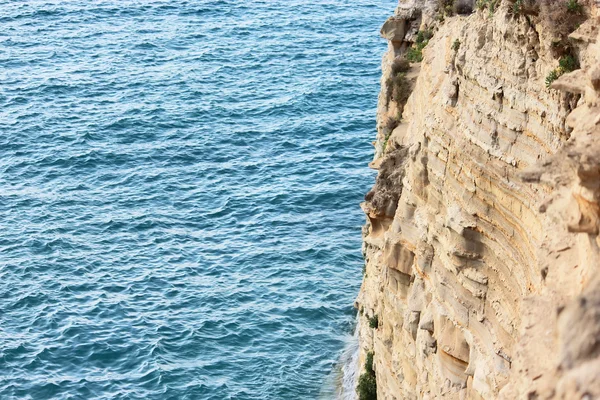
(481,243)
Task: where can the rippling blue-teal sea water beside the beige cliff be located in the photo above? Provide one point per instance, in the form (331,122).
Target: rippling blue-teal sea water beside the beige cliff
(179,195)
